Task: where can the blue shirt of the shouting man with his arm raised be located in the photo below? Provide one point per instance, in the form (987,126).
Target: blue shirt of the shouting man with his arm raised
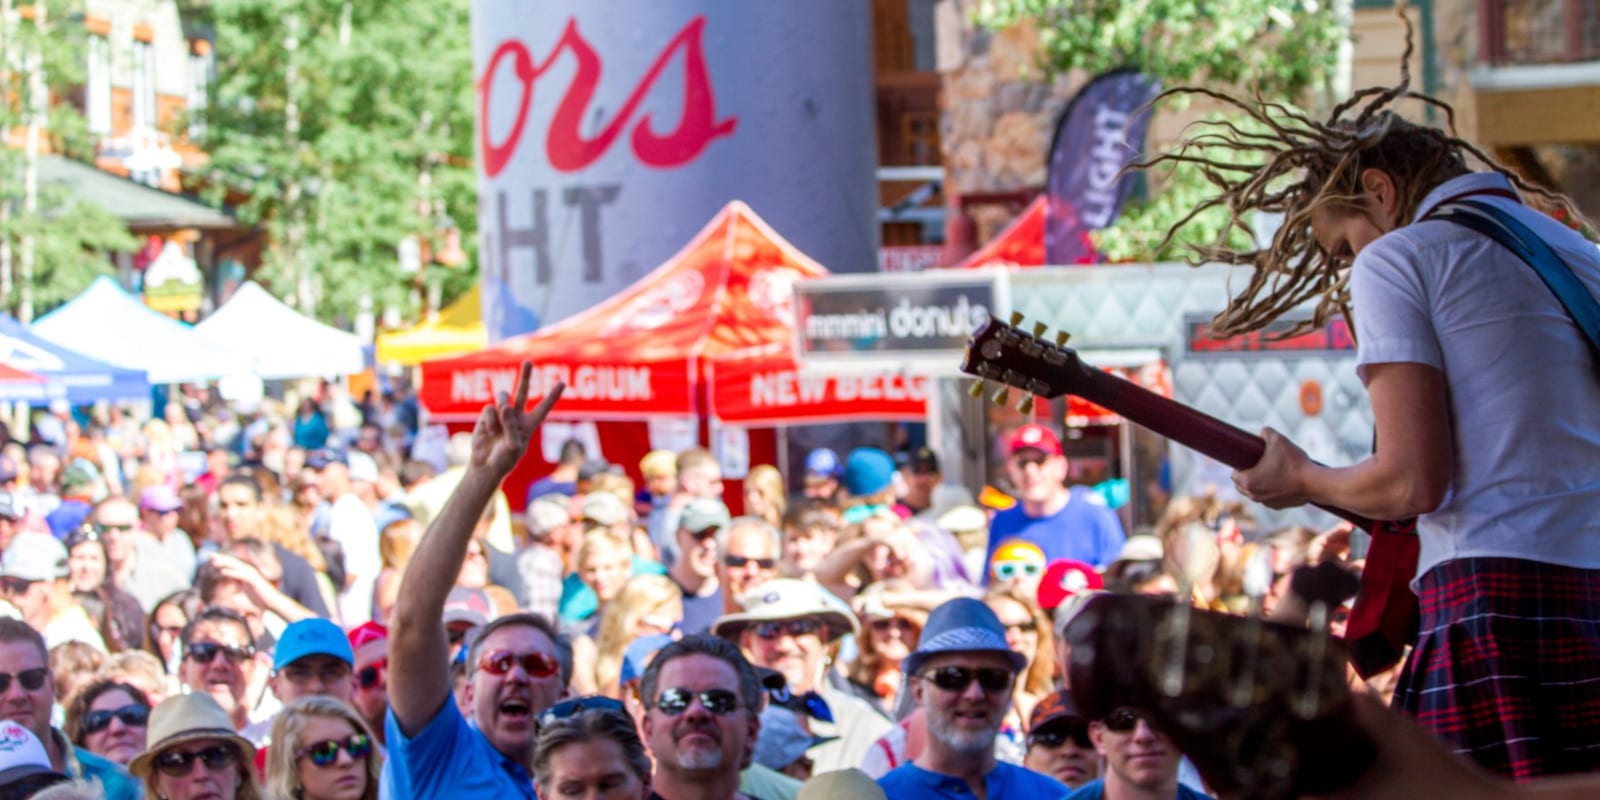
(452,759)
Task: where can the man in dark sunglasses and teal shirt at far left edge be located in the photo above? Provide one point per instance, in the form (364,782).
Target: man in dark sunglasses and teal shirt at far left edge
(26,698)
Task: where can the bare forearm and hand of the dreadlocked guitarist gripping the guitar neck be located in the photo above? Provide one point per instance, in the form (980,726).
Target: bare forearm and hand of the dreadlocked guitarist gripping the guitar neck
(1407,474)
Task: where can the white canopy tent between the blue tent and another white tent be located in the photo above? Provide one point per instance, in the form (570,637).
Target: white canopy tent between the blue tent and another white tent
(114,327)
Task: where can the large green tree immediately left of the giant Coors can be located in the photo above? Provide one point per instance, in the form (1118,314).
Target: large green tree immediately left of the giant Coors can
(346,129)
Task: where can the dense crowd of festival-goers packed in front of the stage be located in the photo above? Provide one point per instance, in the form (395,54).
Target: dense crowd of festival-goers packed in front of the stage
(342,623)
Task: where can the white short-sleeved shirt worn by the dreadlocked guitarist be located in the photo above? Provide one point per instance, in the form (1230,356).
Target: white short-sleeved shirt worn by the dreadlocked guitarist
(1524,386)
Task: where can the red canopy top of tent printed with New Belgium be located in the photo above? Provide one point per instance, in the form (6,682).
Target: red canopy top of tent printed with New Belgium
(719,316)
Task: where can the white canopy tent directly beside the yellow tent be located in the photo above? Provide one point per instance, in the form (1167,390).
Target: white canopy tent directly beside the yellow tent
(279,342)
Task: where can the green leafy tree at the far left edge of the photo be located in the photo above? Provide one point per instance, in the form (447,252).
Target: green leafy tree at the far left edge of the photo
(52,244)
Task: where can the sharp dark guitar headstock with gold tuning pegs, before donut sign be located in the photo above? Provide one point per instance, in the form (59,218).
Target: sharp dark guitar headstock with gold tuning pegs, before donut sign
(1014,358)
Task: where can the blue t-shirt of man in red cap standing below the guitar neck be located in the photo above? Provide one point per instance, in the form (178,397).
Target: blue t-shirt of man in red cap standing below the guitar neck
(1084,530)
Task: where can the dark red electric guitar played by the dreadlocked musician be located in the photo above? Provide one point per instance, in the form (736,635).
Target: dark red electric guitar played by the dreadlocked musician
(1385,617)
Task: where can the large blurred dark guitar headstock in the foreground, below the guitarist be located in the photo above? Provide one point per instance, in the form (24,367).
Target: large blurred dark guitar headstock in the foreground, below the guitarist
(1260,708)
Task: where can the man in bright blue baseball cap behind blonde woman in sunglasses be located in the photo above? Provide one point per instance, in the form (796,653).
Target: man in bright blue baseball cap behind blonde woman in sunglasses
(313,657)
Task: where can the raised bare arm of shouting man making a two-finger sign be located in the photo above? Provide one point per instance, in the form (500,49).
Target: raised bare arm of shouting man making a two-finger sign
(418,649)
